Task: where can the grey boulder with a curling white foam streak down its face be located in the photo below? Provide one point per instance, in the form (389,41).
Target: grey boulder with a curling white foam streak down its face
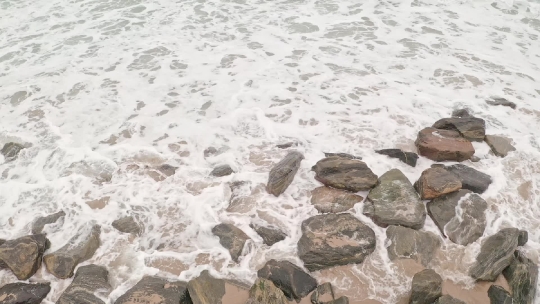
(459,215)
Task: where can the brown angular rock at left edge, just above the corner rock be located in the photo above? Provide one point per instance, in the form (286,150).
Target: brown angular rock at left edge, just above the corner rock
(23,255)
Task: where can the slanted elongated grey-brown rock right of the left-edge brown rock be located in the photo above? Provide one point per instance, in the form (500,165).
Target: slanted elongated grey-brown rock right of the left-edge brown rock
(80,248)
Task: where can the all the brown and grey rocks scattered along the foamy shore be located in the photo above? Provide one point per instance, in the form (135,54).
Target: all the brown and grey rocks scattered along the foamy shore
(449,194)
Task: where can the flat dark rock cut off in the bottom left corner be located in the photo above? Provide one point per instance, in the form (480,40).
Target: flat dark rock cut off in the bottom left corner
(22,293)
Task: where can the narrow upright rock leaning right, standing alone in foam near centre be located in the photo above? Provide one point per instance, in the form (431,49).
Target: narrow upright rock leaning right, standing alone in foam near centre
(282,174)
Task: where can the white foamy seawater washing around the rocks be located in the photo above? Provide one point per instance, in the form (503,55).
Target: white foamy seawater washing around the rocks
(100,92)
